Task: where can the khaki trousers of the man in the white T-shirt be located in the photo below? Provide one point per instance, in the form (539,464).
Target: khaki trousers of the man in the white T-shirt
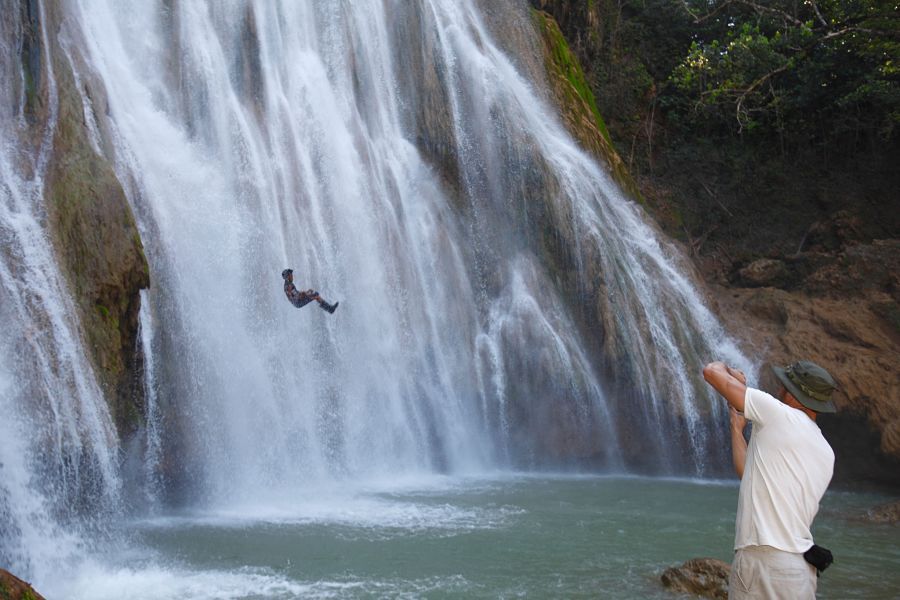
(763,572)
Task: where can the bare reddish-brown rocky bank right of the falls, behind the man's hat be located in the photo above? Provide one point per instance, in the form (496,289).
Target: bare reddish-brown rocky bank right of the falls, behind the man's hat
(838,308)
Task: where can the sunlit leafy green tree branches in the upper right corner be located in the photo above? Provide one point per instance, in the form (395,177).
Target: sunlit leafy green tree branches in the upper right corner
(804,70)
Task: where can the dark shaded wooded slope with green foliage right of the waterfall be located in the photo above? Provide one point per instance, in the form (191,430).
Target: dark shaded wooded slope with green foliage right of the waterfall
(746,122)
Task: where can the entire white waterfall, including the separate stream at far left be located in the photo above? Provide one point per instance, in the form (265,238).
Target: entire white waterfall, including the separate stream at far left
(402,159)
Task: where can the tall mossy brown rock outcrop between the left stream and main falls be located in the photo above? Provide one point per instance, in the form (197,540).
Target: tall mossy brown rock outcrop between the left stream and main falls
(90,222)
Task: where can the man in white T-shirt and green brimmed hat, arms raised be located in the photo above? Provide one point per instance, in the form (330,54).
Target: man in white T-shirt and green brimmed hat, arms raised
(784,474)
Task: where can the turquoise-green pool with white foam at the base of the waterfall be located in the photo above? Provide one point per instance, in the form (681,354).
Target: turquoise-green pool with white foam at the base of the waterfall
(503,537)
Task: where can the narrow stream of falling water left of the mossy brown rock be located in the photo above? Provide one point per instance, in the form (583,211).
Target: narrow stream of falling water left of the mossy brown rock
(58,446)
